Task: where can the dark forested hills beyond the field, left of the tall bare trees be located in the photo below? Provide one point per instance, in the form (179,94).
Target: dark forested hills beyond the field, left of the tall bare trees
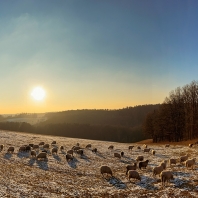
(122,125)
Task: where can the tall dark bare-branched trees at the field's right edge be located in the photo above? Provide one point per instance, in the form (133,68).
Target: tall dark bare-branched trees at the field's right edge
(177,118)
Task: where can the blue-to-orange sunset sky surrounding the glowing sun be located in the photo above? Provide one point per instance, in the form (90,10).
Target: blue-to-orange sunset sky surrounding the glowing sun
(105,54)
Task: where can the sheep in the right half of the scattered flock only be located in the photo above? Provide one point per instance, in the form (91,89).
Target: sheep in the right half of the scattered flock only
(166,176)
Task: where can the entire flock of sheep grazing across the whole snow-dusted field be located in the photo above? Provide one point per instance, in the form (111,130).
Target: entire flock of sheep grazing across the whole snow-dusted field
(131,170)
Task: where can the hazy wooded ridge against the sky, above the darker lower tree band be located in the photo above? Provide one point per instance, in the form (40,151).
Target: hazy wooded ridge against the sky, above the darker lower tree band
(127,117)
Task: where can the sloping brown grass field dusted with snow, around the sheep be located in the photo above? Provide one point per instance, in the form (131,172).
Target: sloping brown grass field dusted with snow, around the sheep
(22,176)
